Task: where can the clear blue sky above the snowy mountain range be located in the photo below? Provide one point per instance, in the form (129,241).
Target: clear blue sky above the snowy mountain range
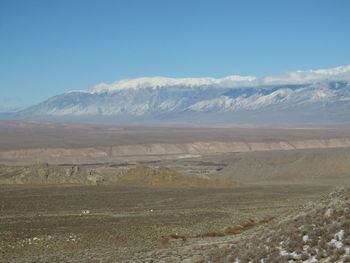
(48,47)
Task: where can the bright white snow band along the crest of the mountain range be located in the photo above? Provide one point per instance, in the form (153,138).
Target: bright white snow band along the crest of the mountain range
(295,77)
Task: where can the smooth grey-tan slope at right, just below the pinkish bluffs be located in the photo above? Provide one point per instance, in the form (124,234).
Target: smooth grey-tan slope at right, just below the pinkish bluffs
(294,166)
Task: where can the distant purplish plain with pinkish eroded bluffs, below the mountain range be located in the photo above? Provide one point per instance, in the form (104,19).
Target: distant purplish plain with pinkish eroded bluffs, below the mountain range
(25,142)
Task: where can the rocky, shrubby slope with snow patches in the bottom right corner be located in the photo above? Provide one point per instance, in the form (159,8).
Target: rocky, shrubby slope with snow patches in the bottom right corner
(318,233)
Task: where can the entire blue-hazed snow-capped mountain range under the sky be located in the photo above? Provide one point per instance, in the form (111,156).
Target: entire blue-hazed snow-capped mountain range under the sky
(300,96)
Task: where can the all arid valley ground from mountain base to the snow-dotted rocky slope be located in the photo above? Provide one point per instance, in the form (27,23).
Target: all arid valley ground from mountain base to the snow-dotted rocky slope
(104,193)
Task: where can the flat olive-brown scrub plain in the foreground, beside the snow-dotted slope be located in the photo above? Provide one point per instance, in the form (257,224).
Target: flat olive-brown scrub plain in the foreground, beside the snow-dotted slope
(125,224)
